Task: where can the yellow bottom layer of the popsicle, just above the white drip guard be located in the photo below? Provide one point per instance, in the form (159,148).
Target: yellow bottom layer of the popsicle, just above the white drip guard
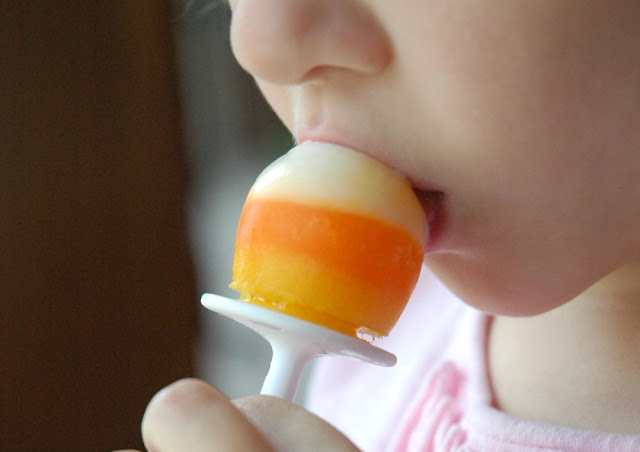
(313,293)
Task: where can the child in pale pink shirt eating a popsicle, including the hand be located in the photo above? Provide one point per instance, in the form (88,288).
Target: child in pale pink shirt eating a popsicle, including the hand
(518,123)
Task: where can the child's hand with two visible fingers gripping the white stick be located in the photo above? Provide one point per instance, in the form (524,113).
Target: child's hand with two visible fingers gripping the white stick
(191,415)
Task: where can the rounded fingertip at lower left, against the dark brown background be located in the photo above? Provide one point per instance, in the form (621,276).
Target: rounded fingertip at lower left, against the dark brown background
(191,415)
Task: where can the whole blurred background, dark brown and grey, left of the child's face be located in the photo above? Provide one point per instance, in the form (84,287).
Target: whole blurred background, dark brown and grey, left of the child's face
(128,139)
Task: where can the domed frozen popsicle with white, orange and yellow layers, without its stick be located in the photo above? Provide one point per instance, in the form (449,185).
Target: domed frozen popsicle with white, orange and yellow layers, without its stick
(330,236)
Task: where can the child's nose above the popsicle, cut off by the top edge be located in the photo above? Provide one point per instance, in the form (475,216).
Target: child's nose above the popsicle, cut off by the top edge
(292,41)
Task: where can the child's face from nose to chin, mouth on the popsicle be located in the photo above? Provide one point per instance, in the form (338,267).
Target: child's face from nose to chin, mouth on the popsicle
(524,114)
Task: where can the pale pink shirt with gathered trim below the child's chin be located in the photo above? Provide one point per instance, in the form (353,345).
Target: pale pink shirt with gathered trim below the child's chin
(437,398)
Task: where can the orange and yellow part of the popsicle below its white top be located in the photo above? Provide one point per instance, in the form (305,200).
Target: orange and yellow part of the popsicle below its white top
(310,261)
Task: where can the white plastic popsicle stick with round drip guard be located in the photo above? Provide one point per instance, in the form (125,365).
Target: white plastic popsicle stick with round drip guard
(294,343)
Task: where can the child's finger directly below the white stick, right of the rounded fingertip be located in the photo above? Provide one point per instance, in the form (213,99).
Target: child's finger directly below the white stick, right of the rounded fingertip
(290,428)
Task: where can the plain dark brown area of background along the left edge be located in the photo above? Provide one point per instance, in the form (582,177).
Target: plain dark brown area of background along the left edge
(97,298)
